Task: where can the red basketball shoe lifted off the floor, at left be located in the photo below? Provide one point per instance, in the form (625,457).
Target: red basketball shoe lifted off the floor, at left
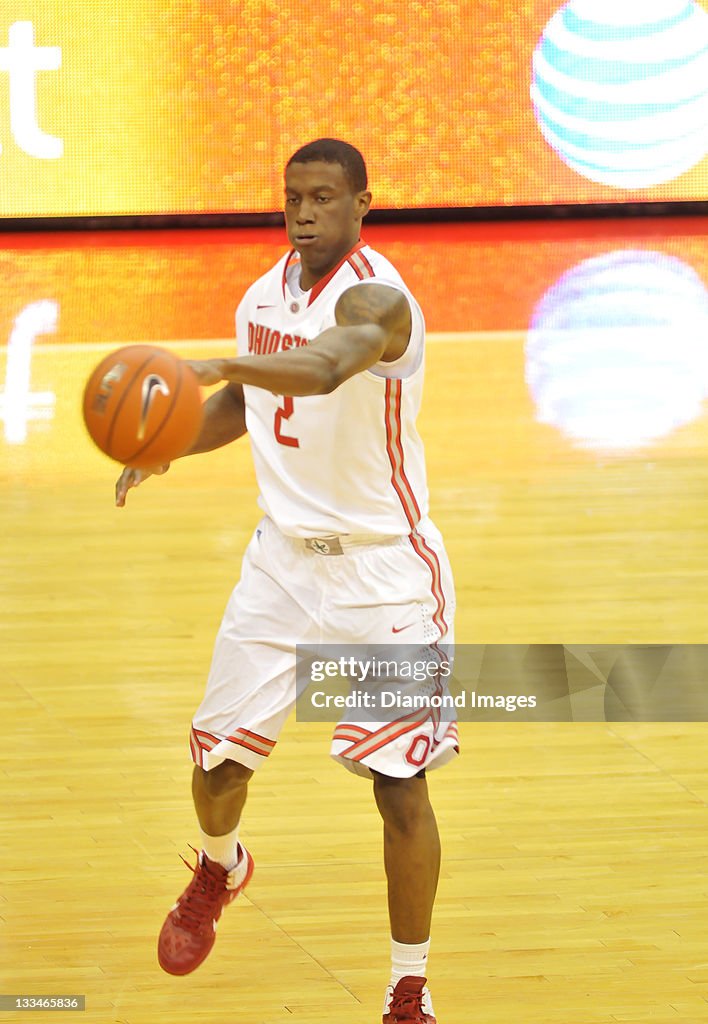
(190,929)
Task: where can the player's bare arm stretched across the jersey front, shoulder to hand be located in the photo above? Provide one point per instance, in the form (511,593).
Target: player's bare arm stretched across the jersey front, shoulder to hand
(373,324)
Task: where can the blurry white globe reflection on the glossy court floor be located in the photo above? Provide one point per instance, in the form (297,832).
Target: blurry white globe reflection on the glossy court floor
(617,353)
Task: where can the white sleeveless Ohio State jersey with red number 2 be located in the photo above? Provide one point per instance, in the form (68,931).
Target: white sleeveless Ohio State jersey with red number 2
(350,462)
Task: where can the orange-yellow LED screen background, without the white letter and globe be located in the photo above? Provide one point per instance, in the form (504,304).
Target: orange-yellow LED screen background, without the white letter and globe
(194,106)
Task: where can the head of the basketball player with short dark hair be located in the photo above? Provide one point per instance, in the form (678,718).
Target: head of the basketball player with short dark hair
(326,199)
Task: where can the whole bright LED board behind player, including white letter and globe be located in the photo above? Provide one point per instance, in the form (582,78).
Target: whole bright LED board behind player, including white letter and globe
(181,107)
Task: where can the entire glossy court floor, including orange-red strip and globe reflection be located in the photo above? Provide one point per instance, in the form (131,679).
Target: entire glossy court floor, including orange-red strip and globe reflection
(567,439)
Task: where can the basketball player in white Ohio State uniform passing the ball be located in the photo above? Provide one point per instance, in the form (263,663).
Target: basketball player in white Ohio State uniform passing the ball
(327,385)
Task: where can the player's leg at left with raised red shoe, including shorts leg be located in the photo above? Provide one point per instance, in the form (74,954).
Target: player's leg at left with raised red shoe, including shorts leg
(251,693)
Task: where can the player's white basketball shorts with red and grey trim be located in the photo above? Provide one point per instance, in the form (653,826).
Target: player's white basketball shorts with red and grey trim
(290,594)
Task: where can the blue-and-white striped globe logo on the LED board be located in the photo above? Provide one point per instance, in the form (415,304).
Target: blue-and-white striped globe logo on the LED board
(620,89)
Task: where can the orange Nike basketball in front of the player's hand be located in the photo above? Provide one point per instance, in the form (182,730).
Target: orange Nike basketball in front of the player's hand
(143,406)
